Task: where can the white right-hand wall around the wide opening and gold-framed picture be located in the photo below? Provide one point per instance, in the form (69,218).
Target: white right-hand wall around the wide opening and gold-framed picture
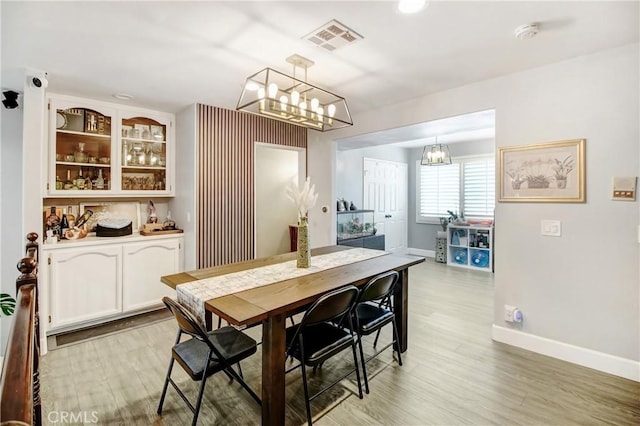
(580,292)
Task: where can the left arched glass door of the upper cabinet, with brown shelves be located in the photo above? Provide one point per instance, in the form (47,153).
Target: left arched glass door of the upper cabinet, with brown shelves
(82,150)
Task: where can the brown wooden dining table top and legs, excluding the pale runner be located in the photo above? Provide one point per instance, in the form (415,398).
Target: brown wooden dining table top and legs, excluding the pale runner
(271,304)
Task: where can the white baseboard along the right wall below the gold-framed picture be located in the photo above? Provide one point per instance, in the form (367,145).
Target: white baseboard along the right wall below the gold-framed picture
(600,361)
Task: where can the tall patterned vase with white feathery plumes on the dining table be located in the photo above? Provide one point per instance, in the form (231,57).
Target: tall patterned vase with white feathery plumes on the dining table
(304,200)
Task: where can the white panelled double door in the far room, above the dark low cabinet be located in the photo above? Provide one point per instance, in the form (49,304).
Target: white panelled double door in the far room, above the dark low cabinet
(385,192)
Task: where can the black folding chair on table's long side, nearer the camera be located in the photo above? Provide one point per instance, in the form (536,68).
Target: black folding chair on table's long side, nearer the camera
(317,337)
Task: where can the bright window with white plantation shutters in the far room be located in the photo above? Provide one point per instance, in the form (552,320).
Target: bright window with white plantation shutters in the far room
(467,185)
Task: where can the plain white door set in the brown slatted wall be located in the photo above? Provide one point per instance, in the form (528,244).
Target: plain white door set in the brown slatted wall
(275,167)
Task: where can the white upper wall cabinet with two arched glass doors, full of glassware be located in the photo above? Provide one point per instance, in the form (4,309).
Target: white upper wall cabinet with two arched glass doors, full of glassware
(113,150)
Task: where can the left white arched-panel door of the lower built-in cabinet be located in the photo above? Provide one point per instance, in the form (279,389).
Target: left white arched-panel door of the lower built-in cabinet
(85,284)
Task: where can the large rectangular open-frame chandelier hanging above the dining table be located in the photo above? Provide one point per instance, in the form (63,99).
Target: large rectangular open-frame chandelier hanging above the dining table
(286,98)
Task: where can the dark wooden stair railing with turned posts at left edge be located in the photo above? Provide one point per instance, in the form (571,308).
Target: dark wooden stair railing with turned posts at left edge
(20,381)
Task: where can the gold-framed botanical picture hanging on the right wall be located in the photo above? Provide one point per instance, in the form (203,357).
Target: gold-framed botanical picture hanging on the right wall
(552,172)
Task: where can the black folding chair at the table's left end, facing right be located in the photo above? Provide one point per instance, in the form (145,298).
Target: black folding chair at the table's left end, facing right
(205,354)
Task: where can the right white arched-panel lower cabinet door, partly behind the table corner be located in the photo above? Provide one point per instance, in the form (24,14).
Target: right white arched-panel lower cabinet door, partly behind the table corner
(144,264)
